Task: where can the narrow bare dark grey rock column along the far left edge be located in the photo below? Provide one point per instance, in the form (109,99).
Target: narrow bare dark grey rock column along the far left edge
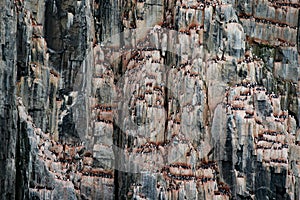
(8,116)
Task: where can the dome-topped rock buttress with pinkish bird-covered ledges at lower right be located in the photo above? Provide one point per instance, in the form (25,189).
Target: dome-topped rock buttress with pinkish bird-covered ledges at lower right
(259,137)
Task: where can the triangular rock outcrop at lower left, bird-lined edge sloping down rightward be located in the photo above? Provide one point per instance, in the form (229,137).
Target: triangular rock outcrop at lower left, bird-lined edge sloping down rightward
(57,170)
